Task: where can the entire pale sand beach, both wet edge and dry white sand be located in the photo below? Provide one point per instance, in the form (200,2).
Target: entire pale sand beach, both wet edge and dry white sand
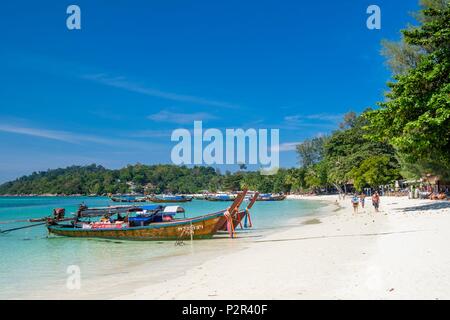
(329,253)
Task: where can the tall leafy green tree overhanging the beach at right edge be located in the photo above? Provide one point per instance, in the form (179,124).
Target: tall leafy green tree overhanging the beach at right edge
(416,117)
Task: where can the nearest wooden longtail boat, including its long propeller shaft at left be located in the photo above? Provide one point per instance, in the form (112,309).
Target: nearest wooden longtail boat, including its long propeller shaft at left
(131,222)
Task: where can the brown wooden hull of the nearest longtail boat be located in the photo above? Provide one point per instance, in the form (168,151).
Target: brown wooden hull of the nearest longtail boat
(202,227)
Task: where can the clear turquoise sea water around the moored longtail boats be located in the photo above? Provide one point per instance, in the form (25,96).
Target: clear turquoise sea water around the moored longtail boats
(31,261)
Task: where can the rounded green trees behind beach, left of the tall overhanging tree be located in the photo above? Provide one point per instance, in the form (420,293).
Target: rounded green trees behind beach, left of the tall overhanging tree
(345,155)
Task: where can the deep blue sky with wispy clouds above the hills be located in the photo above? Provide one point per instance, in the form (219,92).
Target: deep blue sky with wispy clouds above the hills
(112,92)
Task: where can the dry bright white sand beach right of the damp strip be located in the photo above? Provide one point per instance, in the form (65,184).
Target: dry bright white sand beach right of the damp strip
(399,253)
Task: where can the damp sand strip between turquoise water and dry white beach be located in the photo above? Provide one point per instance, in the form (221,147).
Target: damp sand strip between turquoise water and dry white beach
(118,282)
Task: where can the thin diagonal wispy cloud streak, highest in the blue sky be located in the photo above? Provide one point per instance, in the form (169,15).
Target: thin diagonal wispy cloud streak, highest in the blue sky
(123,83)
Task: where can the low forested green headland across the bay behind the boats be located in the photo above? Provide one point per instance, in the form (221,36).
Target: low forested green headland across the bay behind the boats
(150,179)
